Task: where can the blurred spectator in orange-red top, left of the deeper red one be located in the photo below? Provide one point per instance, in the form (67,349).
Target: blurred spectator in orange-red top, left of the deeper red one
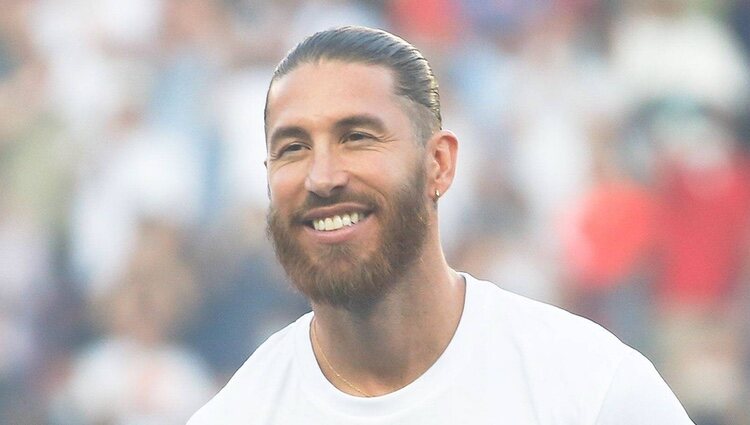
(609,240)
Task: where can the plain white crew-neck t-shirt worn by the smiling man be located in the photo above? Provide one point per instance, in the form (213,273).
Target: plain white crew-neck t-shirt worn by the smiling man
(511,361)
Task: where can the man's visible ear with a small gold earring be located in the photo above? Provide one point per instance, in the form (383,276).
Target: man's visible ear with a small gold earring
(441,152)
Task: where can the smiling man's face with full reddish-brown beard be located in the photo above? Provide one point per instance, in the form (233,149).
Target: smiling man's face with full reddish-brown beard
(348,208)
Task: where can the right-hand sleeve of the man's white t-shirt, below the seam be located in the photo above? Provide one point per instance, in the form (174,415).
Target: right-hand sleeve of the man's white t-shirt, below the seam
(639,396)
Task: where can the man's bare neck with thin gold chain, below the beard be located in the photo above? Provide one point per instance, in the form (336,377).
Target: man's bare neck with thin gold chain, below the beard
(378,350)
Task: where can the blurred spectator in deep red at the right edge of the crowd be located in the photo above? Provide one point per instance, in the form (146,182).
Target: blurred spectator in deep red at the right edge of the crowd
(704,184)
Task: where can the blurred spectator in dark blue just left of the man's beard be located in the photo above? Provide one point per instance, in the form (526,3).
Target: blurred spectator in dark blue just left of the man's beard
(244,296)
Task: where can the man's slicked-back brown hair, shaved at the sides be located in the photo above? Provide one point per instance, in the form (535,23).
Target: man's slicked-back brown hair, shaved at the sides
(413,76)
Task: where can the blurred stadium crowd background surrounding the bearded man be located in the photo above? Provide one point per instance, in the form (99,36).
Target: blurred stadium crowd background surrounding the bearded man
(603,167)
